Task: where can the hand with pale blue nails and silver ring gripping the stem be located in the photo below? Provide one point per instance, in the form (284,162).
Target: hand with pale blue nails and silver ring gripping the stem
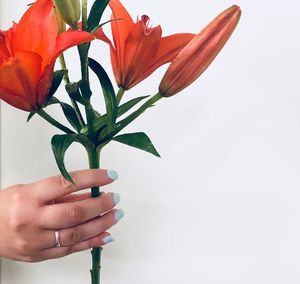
(31,214)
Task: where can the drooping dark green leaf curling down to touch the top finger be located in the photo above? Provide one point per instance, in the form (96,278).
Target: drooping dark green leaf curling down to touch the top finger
(60,144)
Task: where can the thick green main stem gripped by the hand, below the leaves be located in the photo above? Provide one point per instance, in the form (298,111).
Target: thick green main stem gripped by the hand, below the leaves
(94,162)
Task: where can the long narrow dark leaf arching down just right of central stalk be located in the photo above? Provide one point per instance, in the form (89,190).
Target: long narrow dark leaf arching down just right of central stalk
(108,92)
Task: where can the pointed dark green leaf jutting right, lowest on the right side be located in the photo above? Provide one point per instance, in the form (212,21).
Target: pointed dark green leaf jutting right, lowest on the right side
(137,140)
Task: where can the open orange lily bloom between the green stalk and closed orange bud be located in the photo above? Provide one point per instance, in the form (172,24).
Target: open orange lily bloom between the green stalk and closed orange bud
(138,49)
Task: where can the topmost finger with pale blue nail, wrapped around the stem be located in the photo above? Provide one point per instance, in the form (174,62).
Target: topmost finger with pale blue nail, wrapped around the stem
(57,186)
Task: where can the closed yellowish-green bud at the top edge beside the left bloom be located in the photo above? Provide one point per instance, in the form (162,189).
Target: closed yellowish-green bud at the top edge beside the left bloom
(69,11)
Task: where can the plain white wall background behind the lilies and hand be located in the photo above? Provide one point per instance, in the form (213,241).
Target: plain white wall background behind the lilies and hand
(222,205)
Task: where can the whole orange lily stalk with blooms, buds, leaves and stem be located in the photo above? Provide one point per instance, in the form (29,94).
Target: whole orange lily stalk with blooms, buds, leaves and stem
(30,49)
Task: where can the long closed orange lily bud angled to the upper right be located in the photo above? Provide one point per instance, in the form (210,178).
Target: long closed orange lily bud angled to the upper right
(193,60)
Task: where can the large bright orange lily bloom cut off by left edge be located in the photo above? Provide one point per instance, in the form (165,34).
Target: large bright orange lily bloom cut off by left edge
(28,52)
